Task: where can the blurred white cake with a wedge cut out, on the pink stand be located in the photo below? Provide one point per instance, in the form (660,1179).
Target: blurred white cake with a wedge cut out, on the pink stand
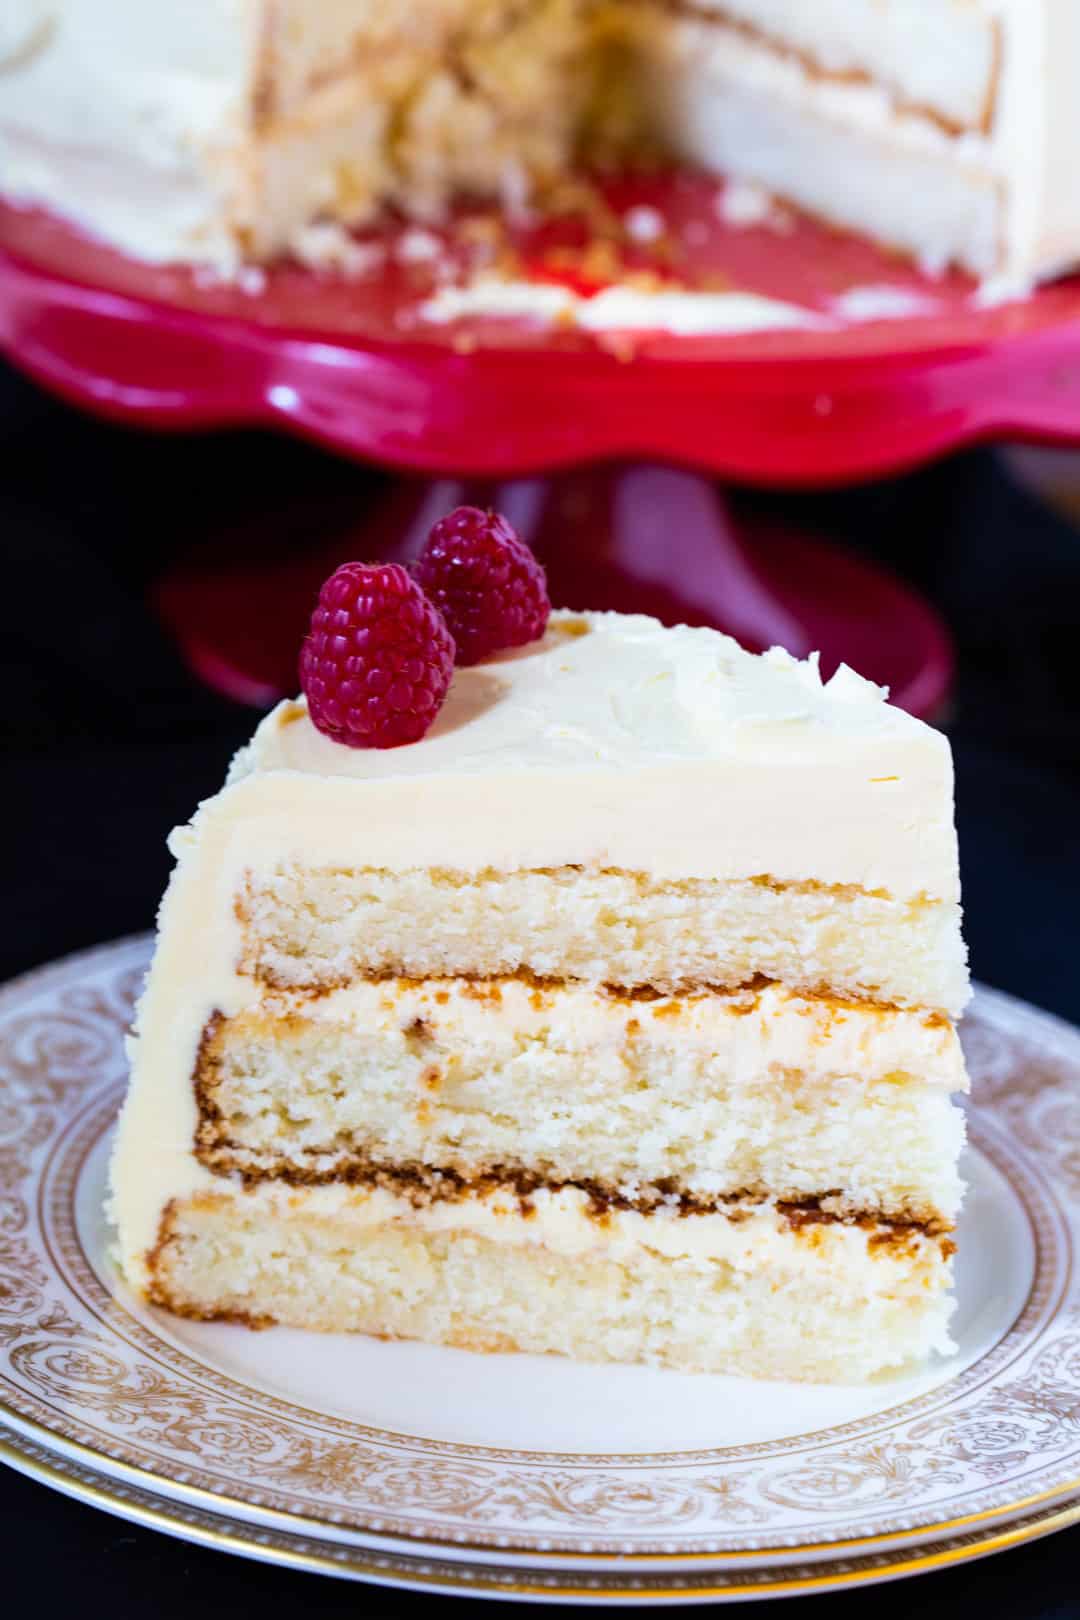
(216,132)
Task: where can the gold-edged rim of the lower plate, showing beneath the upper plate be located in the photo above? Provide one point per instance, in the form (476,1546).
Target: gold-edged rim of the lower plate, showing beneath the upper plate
(522,1584)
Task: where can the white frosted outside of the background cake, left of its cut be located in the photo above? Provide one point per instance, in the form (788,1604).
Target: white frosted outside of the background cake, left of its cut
(130,119)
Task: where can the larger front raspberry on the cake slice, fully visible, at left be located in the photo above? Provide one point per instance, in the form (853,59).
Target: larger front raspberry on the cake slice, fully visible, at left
(378,662)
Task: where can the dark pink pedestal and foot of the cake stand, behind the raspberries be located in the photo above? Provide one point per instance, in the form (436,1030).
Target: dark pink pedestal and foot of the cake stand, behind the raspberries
(634,539)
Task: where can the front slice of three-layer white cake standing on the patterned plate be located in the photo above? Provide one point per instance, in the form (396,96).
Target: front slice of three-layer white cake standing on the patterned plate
(613,1018)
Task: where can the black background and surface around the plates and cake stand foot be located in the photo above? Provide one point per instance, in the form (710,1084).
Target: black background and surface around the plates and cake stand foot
(109,743)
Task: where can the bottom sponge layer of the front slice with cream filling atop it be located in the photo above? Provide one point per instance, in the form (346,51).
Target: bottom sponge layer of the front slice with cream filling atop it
(705,1294)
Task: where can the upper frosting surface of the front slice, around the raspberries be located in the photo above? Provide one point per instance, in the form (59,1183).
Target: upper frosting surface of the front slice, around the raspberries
(610,689)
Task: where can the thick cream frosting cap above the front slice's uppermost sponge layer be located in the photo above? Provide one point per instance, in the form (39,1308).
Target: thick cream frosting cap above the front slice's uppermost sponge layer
(631,746)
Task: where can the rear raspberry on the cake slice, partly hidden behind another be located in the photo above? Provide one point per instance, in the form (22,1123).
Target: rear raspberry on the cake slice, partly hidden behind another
(487,582)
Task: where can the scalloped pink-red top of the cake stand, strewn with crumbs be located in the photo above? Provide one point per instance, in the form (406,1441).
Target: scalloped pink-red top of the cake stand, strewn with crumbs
(888,370)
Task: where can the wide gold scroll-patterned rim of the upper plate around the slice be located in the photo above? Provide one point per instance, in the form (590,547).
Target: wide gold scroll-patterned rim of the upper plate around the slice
(61,1052)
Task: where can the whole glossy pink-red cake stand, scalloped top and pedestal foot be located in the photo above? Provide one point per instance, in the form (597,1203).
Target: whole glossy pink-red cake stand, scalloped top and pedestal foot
(354,365)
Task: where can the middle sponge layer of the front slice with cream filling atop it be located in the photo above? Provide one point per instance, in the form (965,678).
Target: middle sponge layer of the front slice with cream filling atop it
(707,1101)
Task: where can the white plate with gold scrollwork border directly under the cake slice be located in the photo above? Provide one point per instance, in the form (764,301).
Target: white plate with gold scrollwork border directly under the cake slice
(383,1456)
